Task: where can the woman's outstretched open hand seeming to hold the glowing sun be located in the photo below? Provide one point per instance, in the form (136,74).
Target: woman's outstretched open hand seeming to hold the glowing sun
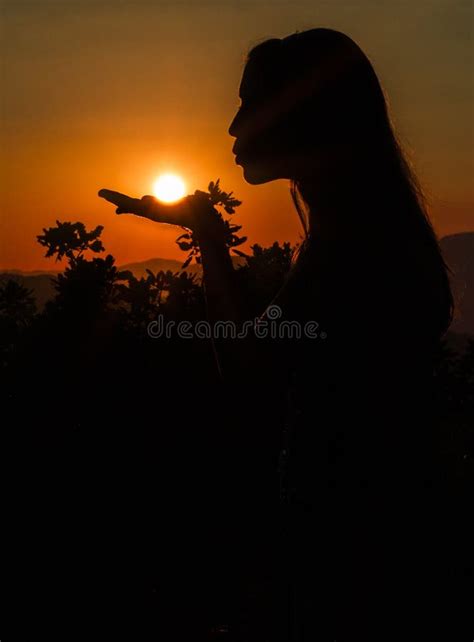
(194,211)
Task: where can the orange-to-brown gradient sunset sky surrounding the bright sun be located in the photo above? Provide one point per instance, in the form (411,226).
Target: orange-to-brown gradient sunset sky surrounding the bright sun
(111,94)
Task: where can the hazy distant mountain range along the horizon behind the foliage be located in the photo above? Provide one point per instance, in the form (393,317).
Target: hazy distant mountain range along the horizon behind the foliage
(458,251)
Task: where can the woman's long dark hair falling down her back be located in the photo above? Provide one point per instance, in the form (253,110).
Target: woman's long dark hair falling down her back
(331,109)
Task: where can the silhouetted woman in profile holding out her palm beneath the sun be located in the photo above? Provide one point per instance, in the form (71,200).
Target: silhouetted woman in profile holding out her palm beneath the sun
(356,460)
